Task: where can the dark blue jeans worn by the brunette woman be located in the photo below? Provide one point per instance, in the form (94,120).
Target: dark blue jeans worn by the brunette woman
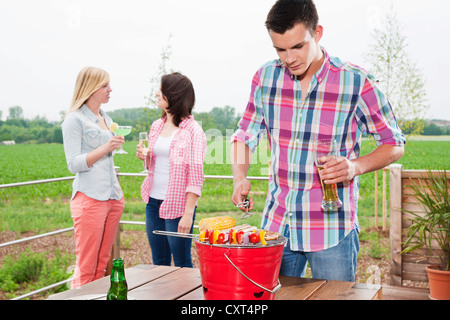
(164,247)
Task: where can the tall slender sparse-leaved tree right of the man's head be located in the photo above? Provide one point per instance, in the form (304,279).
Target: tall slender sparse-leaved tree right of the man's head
(400,77)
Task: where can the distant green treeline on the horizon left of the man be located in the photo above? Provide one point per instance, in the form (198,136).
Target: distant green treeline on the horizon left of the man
(40,130)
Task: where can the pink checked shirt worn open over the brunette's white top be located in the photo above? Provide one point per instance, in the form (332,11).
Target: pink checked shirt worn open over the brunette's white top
(186,156)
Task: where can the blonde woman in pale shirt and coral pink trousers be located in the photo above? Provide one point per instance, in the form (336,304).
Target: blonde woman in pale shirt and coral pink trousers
(97,199)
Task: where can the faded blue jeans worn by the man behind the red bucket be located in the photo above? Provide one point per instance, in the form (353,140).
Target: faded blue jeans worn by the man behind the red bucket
(336,263)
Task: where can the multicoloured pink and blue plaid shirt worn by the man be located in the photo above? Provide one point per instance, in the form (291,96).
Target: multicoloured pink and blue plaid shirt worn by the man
(343,103)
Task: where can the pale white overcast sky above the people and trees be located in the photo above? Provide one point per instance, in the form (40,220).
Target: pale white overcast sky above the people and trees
(218,44)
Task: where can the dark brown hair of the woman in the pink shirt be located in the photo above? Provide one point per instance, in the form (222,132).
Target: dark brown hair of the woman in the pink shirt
(180,95)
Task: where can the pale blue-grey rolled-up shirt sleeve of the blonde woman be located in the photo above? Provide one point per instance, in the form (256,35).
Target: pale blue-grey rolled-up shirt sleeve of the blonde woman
(72,135)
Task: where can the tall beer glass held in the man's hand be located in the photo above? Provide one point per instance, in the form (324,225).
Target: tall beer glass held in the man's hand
(324,151)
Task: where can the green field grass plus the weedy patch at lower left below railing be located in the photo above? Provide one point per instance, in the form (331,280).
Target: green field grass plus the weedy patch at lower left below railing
(44,207)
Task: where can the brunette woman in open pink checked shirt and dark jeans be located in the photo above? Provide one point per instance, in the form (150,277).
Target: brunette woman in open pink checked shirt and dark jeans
(177,146)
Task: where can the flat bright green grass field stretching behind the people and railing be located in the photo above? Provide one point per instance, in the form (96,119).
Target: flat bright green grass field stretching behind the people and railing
(44,207)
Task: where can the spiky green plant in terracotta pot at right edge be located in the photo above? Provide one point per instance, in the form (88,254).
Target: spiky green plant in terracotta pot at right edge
(434,226)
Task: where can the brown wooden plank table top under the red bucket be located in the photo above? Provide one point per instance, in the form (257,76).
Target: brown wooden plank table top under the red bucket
(151,282)
